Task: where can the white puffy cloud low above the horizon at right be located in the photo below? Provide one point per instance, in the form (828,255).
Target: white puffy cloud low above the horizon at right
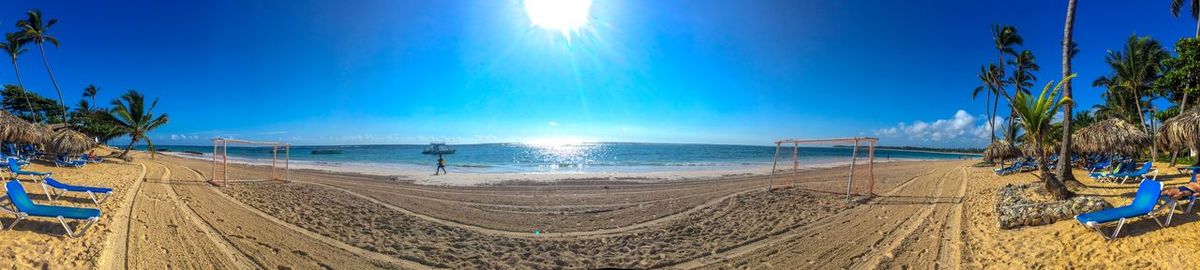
(963,128)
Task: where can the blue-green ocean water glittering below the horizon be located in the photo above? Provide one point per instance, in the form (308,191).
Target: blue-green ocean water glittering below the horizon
(585,158)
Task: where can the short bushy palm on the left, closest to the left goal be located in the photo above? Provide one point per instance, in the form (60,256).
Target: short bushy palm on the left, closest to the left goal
(134,119)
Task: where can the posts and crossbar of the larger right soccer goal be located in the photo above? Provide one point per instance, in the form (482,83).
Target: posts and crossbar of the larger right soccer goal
(859,142)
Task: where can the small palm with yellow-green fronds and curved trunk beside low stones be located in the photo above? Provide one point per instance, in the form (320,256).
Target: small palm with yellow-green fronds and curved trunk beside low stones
(1036,115)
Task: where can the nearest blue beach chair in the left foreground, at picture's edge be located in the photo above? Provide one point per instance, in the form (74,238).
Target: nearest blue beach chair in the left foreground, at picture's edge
(25,208)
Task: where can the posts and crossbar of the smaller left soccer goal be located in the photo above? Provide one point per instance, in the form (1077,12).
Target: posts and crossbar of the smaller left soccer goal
(221,160)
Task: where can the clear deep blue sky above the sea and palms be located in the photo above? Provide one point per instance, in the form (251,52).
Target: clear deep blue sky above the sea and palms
(686,71)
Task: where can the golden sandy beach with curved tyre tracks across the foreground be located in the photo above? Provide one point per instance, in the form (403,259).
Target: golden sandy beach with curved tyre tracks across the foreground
(928,214)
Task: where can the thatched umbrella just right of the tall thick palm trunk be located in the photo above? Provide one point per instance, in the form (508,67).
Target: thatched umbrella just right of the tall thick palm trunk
(1112,136)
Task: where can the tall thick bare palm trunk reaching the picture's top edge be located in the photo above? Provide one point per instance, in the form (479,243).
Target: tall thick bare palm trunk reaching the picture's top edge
(1065,165)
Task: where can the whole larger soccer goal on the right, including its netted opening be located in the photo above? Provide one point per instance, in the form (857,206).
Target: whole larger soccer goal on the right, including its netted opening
(837,173)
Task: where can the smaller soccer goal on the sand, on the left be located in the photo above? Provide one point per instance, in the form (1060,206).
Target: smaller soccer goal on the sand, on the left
(255,155)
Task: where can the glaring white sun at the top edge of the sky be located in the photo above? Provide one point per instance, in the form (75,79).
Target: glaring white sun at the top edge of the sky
(565,16)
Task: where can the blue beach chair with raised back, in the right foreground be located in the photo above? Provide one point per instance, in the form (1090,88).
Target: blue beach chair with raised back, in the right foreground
(1144,205)
